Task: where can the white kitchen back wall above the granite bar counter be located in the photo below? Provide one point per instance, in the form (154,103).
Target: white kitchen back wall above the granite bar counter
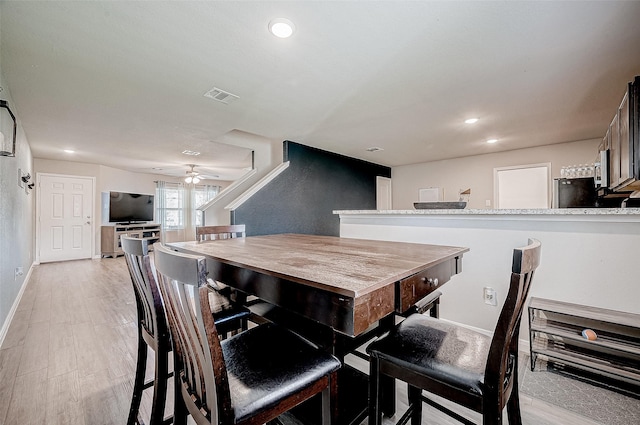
(476,172)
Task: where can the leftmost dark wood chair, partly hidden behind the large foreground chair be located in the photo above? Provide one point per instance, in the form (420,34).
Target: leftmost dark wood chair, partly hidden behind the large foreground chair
(153,332)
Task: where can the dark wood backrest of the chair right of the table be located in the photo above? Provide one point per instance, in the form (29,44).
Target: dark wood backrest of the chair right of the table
(503,354)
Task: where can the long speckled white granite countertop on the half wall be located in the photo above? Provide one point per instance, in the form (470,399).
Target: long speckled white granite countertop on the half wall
(537,211)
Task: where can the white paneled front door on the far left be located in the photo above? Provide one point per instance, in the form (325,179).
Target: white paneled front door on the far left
(65,213)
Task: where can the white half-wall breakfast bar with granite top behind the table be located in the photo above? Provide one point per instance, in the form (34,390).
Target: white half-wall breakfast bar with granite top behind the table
(589,255)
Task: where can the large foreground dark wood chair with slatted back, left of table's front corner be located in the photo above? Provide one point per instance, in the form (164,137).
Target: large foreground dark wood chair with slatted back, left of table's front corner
(248,379)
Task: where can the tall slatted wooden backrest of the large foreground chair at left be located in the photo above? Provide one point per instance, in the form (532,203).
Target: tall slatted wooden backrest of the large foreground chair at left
(198,360)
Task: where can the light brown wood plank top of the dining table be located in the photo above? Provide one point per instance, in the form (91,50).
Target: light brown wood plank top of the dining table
(351,267)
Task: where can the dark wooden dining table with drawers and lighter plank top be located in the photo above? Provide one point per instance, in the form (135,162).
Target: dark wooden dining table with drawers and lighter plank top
(337,292)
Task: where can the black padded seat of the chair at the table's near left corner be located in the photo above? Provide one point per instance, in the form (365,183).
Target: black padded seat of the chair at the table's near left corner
(267,363)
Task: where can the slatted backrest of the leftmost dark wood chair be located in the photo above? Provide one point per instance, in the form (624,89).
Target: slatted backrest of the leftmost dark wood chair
(151,315)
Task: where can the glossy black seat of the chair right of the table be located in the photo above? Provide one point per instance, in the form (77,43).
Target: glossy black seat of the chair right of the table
(450,354)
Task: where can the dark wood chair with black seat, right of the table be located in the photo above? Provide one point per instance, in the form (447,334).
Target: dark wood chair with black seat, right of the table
(458,364)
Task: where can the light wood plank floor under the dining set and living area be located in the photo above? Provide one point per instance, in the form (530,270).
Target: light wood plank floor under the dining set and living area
(69,355)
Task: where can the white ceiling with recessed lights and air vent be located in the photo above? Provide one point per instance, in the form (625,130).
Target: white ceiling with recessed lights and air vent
(122,83)
